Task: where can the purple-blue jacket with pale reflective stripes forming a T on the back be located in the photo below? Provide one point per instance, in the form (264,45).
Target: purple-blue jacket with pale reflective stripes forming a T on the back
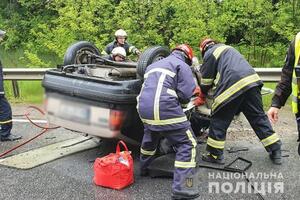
(168,84)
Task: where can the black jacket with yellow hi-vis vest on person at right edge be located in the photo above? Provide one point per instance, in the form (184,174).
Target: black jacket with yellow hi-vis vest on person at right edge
(286,84)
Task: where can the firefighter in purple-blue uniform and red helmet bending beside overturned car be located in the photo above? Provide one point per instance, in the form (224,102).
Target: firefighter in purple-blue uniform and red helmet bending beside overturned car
(168,83)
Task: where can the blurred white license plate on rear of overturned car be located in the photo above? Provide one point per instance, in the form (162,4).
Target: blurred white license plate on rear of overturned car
(74,112)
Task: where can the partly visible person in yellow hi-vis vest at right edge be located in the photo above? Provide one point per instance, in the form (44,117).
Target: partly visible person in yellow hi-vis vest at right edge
(288,84)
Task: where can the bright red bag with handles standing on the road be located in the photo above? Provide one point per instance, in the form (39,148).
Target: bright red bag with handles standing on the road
(114,170)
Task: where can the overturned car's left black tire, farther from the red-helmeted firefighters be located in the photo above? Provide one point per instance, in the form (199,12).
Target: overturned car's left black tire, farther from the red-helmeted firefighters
(77,53)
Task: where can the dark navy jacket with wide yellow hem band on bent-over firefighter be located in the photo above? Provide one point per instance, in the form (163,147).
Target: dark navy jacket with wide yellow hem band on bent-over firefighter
(227,73)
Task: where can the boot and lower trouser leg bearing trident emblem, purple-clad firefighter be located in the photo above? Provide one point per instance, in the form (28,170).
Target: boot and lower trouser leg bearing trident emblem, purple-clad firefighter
(188,189)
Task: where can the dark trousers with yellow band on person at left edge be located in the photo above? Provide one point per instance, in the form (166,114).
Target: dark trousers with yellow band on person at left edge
(5,117)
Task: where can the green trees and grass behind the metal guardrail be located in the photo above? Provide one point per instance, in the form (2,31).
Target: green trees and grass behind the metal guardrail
(39,32)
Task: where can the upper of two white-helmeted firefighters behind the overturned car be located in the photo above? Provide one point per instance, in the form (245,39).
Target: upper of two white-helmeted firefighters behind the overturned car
(120,41)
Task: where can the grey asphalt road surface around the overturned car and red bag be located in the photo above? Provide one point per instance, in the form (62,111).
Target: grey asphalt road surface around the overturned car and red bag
(71,177)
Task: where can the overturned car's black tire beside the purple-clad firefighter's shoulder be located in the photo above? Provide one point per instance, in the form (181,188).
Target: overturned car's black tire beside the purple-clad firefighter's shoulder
(149,56)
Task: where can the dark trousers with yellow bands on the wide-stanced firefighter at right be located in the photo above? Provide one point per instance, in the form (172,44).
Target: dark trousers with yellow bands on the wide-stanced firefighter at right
(250,104)
